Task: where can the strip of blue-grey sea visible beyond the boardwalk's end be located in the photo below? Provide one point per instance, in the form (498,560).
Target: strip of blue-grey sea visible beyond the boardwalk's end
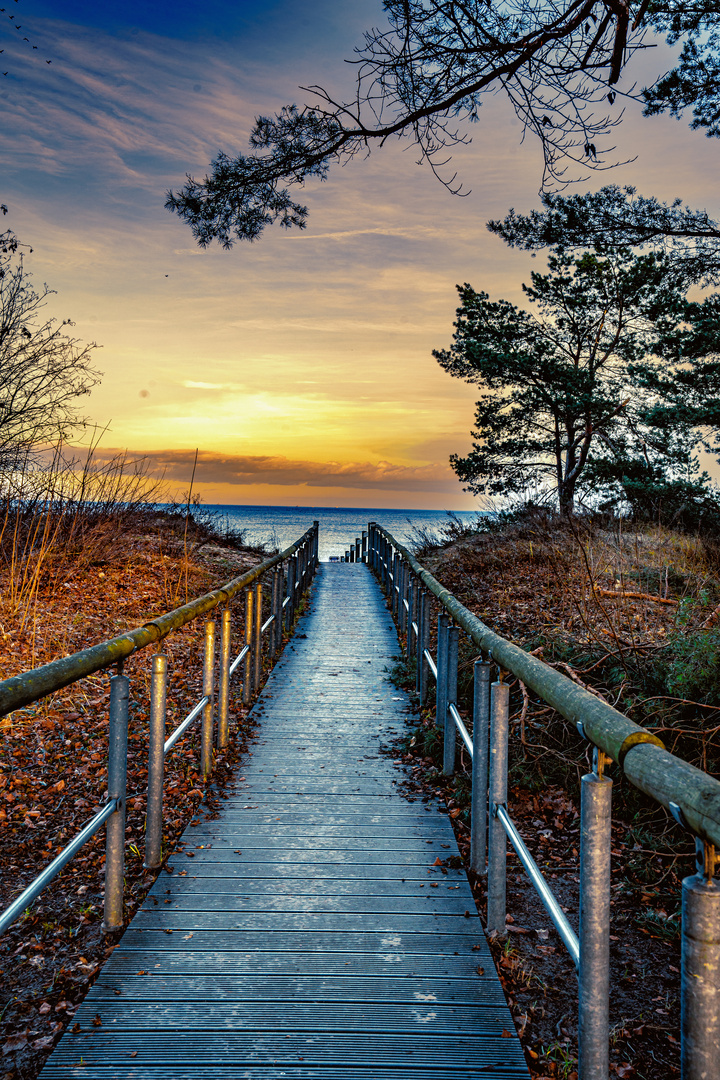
(339,526)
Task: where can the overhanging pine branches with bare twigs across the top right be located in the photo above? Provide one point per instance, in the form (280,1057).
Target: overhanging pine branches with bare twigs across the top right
(427,75)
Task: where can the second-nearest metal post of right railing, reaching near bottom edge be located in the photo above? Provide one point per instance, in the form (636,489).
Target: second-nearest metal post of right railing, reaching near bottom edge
(594,974)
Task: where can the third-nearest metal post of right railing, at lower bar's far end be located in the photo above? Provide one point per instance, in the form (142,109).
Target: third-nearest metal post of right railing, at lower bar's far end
(498,796)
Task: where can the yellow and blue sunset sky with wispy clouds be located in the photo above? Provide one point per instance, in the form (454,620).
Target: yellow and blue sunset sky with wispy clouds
(301,367)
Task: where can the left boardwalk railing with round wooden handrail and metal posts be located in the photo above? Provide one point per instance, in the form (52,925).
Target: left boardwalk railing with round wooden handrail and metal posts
(22,691)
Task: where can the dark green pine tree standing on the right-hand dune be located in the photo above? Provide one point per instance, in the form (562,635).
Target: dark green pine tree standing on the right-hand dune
(575,390)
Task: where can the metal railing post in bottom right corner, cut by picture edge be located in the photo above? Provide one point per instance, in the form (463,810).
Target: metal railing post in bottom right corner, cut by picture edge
(700,965)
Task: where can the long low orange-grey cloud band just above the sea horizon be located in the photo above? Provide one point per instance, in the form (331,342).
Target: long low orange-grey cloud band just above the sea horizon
(242,470)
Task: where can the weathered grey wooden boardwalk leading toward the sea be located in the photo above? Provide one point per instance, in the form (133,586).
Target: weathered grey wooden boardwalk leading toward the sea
(311,935)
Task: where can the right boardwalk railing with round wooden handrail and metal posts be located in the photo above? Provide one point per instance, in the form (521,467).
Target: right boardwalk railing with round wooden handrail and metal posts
(690,795)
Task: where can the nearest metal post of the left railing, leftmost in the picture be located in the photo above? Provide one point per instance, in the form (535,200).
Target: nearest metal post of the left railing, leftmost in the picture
(115,841)
